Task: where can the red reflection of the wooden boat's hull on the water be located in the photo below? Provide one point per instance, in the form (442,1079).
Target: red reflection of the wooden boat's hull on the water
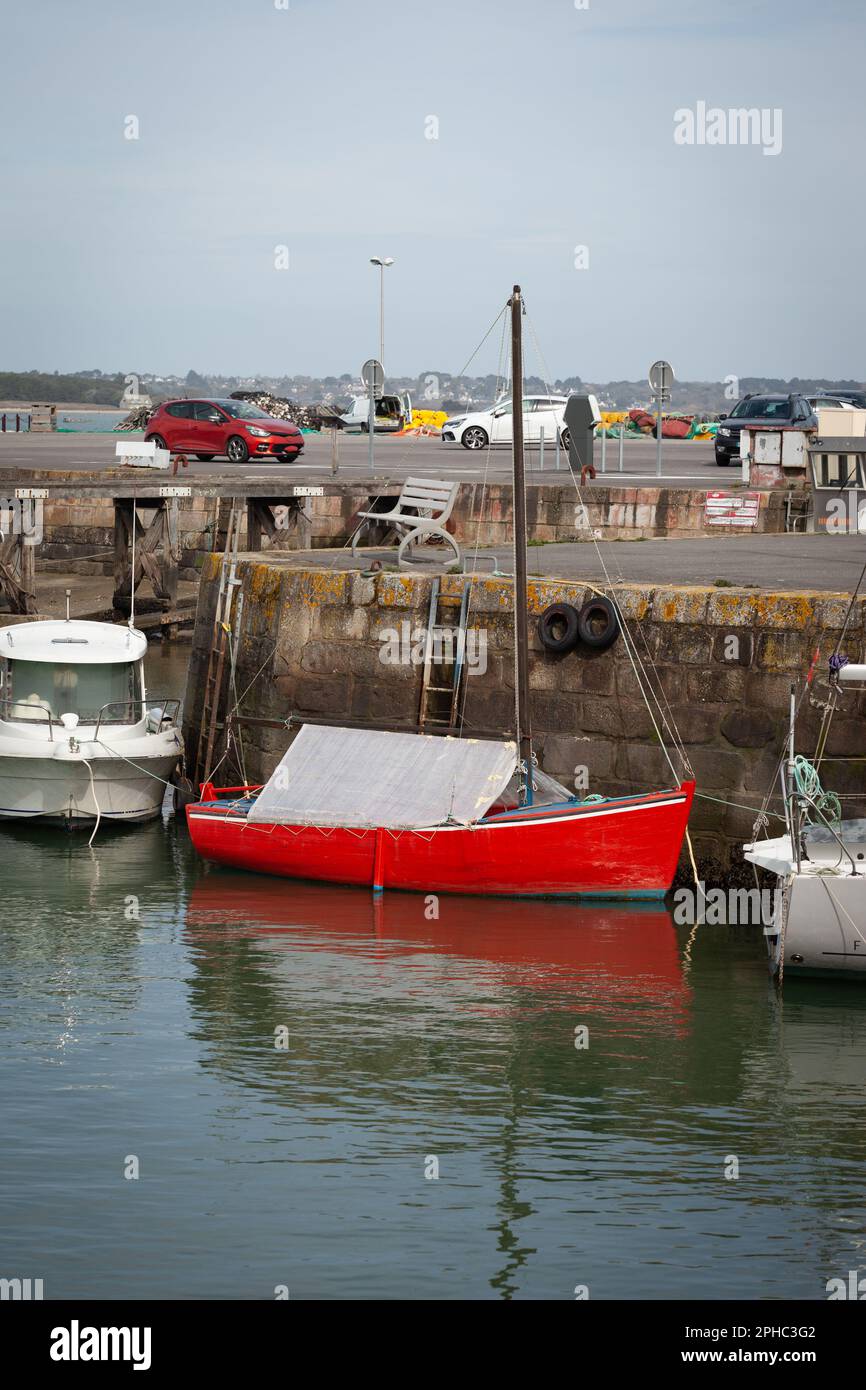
(601,950)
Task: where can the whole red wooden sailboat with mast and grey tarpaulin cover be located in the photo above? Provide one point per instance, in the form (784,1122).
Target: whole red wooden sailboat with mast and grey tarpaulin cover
(446,815)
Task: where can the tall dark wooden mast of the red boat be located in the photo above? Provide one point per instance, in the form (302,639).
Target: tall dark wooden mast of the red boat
(522,629)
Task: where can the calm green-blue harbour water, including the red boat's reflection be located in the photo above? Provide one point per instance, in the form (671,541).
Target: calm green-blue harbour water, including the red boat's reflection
(348,1099)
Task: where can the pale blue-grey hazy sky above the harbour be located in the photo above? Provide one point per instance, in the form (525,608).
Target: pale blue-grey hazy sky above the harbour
(480,144)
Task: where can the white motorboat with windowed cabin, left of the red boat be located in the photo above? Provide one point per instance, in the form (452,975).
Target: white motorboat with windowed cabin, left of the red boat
(79,742)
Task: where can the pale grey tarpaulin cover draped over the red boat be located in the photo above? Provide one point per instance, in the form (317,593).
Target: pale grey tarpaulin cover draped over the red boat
(365,778)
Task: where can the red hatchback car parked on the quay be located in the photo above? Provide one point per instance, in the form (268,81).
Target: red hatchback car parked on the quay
(234,429)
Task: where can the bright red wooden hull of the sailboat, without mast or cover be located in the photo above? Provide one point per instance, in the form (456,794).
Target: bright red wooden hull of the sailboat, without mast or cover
(626,847)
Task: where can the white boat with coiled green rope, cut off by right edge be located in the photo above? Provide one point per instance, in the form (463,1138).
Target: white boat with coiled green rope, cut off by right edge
(819,924)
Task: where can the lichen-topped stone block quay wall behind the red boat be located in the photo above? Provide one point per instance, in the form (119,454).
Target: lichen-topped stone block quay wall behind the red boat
(722,662)
